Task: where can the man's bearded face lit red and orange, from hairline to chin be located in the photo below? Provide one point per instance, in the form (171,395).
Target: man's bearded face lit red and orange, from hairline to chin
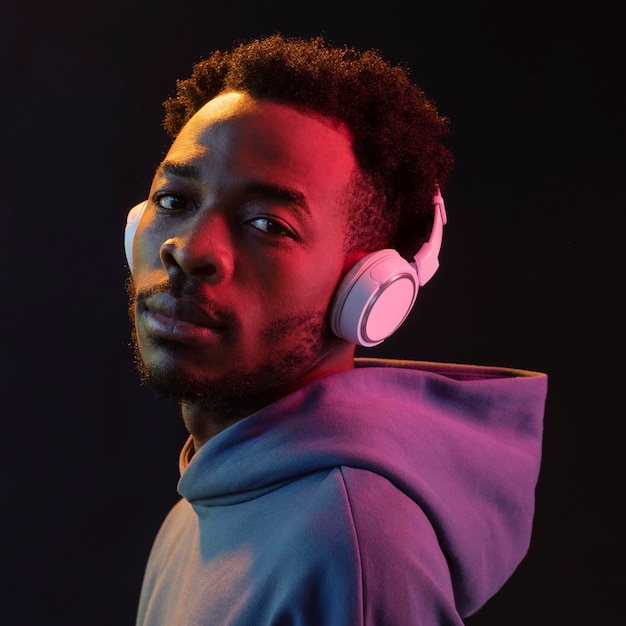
(239,251)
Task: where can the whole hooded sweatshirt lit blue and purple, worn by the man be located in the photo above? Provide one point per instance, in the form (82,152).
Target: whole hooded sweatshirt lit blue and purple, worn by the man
(397,493)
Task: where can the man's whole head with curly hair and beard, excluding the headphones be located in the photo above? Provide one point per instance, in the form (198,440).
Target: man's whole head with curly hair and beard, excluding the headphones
(248,228)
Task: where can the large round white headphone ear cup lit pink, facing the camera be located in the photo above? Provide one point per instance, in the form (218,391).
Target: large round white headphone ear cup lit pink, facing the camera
(374,298)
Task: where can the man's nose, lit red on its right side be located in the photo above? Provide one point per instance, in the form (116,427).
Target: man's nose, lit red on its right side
(203,250)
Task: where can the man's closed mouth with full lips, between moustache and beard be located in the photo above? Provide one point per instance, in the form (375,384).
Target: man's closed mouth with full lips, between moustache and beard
(180,319)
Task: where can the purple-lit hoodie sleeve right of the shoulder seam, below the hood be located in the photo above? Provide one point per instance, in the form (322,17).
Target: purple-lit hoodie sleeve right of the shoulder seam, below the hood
(396,542)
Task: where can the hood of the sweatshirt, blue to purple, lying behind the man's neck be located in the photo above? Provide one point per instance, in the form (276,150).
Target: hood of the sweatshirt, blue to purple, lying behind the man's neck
(463,442)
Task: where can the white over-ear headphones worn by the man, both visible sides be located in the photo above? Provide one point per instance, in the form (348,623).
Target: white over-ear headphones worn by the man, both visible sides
(376,295)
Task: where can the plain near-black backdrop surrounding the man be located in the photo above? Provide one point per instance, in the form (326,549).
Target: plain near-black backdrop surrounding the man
(531,275)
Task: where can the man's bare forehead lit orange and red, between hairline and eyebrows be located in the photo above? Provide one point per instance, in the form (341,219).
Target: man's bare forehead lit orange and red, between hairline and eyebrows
(237,135)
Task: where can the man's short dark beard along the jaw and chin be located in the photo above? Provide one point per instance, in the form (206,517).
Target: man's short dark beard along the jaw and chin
(242,389)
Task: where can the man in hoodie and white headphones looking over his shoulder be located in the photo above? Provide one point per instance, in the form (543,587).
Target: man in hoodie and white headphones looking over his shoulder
(317,490)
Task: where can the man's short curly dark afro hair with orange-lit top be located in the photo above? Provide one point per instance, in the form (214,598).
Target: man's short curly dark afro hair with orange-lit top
(397,132)
